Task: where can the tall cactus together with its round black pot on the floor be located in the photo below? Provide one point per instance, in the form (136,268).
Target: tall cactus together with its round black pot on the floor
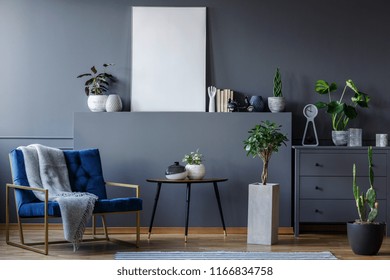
(365,236)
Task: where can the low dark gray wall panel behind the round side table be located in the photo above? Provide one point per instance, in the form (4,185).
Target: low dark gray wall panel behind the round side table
(137,146)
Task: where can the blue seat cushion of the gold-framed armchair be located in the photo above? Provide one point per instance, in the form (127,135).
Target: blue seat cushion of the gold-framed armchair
(37,209)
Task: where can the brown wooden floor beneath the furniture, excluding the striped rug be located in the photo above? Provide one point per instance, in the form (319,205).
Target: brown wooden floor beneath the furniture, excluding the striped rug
(102,250)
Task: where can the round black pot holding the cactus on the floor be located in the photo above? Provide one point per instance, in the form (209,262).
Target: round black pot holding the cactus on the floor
(365,239)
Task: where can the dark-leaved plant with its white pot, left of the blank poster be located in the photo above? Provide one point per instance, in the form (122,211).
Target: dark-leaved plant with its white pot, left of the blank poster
(96,87)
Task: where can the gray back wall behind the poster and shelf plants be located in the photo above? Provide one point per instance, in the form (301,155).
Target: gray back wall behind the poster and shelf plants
(45,44)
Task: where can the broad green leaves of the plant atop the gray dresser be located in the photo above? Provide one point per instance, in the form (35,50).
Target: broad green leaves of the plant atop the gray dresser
(340,111)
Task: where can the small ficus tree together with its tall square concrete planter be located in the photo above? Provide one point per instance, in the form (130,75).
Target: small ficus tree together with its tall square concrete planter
(263,198)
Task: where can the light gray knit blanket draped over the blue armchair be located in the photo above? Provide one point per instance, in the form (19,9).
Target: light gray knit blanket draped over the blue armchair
(46,168)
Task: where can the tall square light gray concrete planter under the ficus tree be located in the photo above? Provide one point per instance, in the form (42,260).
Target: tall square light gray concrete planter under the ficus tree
(263,214)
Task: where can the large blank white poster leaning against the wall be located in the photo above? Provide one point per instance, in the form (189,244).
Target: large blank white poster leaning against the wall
(168,59)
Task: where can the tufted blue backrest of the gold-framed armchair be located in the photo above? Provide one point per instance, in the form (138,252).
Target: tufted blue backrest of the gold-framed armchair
(84,168)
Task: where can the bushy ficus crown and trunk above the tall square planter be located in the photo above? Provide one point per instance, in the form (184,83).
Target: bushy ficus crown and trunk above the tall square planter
(264,139)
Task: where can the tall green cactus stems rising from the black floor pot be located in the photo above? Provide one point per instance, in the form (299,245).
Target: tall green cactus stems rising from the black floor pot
(367,200)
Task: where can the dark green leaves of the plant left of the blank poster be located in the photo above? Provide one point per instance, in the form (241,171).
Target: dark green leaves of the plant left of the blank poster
(99,82)
